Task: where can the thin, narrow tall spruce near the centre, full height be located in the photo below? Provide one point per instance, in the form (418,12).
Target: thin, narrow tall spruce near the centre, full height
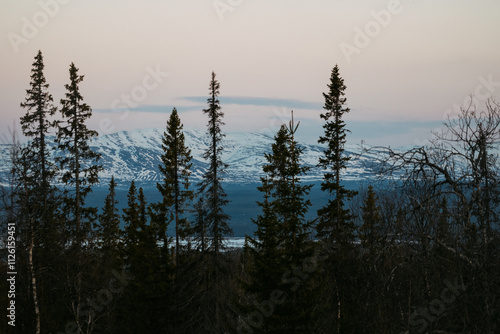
(213,302)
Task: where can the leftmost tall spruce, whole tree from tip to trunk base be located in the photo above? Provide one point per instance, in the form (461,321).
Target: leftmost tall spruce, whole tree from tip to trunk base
(38,202)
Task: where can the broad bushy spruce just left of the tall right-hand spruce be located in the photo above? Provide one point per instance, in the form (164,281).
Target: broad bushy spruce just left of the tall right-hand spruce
(278,258)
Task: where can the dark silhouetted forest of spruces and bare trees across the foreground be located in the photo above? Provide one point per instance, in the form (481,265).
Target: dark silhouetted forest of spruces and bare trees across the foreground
(417,255)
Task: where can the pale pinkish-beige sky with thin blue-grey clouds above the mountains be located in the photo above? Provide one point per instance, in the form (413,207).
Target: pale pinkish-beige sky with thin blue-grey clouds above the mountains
(407,64)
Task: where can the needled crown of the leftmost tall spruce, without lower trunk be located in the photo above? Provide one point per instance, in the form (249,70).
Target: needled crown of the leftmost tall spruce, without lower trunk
(36,167)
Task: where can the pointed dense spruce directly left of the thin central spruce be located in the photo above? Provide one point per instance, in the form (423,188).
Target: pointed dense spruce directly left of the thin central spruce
(175,168)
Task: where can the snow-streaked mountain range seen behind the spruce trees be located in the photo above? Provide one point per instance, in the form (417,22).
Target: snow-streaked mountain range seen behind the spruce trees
(135,155)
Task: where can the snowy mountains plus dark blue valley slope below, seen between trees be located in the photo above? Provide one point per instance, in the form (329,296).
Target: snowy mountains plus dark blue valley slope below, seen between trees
(135,155)
